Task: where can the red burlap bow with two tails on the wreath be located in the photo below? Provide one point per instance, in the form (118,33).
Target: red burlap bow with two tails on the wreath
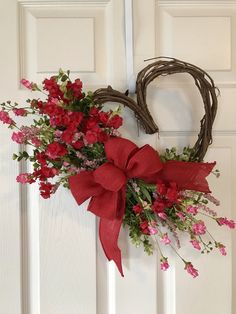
(107,185)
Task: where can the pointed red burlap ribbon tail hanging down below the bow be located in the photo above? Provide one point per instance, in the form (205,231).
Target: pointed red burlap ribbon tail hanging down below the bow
(109,230)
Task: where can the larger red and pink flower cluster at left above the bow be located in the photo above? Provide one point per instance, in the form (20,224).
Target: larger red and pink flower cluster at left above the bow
(67,134)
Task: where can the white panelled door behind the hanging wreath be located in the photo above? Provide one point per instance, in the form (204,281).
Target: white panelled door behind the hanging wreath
(50,259)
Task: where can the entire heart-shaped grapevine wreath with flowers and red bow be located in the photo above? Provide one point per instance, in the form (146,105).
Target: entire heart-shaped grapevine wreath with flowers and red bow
(76,144)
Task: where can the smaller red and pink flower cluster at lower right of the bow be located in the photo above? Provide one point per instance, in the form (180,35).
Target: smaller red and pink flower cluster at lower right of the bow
(155,214)
